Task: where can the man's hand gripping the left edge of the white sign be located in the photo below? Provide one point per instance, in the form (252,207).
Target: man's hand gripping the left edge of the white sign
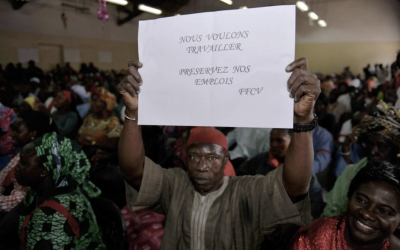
(129,87)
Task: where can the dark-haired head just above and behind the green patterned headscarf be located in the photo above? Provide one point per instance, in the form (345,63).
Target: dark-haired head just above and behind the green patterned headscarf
(30,125)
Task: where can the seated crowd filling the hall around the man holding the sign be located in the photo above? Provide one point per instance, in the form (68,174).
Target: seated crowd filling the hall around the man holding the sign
(59,149)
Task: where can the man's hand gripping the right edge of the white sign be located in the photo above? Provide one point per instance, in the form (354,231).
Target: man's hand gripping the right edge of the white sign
(304,88)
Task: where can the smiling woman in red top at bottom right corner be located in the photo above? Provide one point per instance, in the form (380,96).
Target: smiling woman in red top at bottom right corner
(372,215)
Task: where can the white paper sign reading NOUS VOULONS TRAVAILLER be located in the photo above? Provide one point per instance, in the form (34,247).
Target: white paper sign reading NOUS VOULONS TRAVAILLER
(222,68)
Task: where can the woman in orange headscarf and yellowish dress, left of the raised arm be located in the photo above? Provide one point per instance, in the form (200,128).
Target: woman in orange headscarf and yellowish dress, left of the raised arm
(101,129)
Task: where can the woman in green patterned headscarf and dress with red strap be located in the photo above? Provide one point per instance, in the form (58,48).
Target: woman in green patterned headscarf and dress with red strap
(56,212)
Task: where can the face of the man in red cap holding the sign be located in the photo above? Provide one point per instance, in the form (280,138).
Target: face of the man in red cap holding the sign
(206,163)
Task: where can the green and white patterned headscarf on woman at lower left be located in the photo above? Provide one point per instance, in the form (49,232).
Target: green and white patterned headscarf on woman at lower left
(66,163)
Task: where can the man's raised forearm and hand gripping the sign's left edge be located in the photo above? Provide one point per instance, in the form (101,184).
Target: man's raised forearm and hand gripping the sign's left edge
(130,147)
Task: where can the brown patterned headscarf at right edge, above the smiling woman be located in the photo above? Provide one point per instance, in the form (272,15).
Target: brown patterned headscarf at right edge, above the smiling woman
(385,121)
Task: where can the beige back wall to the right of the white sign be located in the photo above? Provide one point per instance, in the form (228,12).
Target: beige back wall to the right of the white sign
(358,32)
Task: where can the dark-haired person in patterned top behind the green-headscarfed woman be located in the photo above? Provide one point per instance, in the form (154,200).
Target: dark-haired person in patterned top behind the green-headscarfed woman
(25,129)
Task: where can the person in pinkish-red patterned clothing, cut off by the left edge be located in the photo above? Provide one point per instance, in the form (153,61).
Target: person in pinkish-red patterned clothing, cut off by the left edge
(7,150)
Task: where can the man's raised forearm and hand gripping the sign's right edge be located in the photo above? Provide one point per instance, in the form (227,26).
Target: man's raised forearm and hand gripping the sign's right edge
(304,88)
